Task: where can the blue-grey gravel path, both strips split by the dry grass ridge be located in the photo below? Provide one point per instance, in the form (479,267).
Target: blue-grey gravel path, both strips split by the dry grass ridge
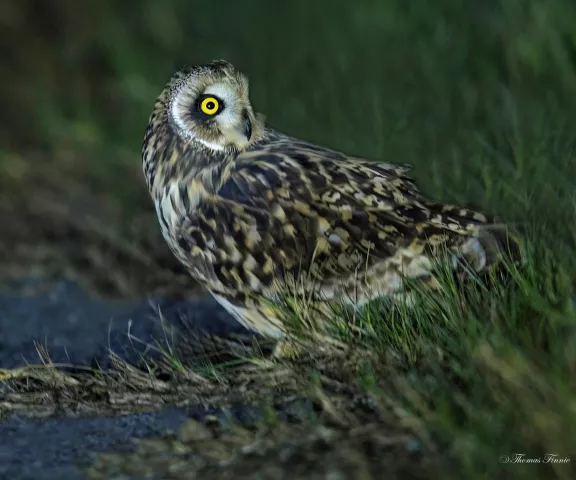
(78,329)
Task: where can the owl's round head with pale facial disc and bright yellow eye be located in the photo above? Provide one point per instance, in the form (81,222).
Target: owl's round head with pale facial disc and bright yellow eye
(209,105)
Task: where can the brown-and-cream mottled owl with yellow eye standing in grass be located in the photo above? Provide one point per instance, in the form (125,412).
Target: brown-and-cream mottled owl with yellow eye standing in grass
(249,210)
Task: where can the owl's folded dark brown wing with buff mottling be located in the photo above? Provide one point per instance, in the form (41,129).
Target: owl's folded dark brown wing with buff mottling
(290,205)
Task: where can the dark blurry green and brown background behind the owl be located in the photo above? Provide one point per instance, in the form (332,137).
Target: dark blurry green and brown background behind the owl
(478,96)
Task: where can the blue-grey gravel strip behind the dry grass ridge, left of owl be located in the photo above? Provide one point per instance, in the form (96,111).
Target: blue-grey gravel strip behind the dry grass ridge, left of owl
(79,329)
